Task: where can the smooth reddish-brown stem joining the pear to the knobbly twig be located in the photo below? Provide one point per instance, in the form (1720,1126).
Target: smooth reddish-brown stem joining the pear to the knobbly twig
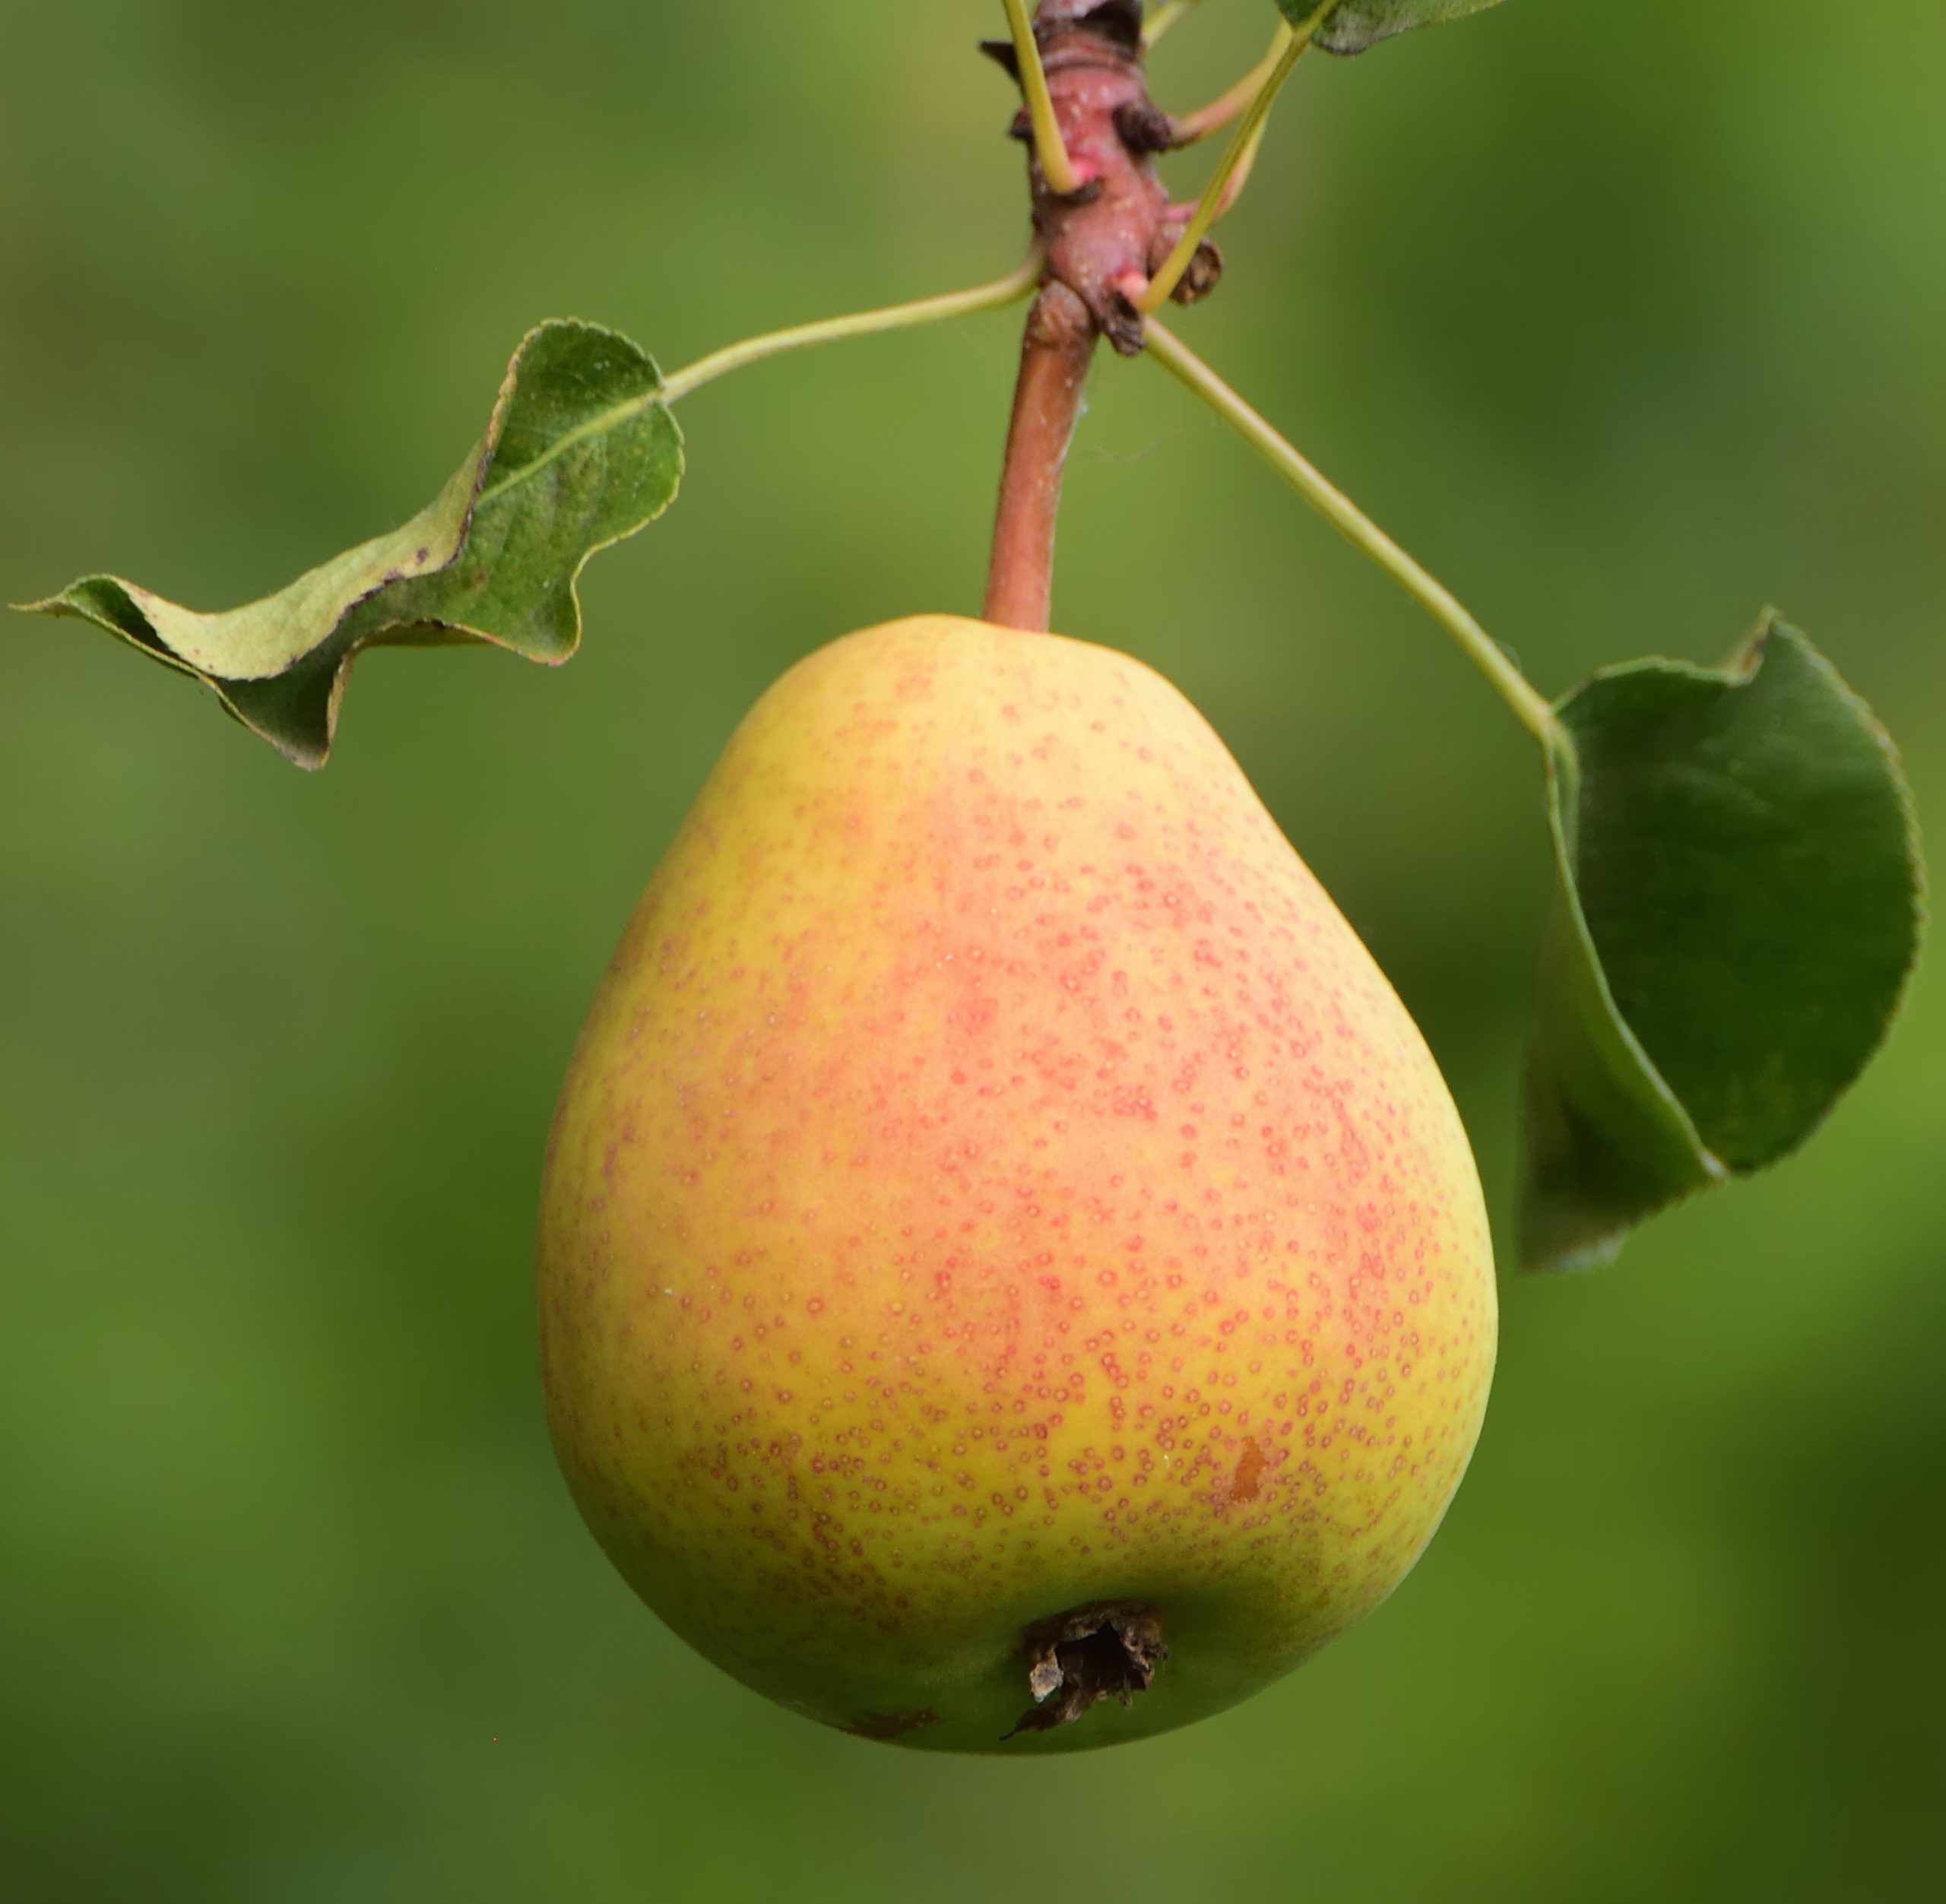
(1048,402)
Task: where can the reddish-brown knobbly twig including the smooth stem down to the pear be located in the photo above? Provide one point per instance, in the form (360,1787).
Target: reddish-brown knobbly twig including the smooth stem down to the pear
(1104,244)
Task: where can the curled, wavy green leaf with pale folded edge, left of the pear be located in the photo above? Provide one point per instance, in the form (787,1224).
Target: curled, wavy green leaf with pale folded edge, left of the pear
(581,452)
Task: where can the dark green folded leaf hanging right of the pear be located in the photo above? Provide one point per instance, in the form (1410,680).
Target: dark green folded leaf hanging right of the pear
(1737,921)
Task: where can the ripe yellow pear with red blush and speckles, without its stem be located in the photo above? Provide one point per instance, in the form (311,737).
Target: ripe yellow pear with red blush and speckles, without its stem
(1013,1277)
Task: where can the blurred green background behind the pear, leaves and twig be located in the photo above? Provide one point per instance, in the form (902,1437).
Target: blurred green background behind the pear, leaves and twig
(1626,318)
